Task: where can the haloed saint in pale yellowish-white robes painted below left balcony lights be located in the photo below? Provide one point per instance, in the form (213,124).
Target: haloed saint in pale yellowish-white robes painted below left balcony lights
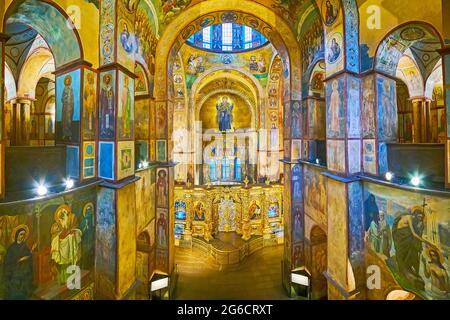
(66,243)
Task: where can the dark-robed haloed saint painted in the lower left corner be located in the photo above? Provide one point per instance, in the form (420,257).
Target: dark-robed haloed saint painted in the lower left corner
(18,267)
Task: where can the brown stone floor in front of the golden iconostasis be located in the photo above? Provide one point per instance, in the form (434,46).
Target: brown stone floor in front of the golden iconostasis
(256,278)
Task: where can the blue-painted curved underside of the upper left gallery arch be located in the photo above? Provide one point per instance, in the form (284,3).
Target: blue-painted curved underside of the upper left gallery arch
(63,39)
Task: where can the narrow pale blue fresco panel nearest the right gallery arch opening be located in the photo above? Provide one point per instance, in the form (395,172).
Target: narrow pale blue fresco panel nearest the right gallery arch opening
(387,109)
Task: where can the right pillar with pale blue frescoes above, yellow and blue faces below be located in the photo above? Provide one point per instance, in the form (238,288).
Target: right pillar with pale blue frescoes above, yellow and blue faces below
(345,268)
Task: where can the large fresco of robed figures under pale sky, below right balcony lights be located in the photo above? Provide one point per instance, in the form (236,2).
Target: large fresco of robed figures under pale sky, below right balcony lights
(410,232)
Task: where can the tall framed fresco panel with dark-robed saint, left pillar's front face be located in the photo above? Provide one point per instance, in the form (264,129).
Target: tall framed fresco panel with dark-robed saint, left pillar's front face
(107,104)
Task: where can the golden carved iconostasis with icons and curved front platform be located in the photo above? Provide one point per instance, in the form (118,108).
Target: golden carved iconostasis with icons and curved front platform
(229,222)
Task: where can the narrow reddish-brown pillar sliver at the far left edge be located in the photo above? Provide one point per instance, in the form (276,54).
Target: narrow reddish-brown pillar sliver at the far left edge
(3,39)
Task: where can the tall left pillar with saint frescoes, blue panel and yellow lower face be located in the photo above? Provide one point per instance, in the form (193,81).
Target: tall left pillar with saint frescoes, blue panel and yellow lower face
(116,133)
